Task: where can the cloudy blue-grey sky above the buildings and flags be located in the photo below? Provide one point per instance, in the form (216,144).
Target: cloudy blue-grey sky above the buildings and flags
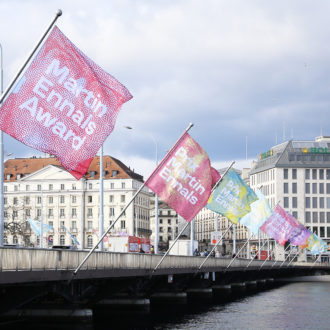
(248,74)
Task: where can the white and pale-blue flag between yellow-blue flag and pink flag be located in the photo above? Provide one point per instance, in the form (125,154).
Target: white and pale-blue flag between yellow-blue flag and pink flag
(260,212)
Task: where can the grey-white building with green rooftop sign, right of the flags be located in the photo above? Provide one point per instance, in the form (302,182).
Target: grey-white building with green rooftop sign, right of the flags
(296,174)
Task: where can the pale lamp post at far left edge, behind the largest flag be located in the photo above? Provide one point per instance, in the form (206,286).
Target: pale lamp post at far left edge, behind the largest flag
(2,220)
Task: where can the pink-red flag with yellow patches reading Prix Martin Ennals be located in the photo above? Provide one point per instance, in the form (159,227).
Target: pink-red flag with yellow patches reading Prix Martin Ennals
(185,179)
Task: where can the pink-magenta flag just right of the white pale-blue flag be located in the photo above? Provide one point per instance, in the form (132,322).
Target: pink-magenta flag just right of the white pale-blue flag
(280,226)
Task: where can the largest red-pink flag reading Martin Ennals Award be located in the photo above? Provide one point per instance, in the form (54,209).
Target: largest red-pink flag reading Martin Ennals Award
(64,105)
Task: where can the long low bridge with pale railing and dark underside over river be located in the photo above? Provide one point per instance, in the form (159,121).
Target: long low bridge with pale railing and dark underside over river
(34,277)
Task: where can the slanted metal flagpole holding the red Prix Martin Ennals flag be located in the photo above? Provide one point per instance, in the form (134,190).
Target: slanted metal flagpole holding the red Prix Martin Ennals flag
(133,198)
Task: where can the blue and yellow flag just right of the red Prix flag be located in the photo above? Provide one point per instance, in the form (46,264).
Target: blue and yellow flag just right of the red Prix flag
(232,197)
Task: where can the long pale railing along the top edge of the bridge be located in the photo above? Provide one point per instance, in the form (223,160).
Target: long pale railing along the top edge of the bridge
(25,259)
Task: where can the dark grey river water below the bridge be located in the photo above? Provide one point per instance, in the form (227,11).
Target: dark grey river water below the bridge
(304,305)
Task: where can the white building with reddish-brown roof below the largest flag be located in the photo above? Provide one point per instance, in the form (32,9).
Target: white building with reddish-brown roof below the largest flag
(41,189)
